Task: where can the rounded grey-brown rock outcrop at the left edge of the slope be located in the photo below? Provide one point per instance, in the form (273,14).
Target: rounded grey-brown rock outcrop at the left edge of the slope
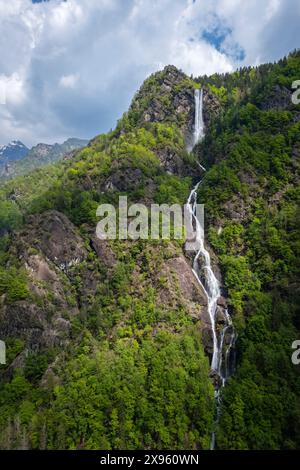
(47,249)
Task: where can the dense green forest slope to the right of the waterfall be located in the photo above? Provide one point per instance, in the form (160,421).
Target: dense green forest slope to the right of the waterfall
(253,179)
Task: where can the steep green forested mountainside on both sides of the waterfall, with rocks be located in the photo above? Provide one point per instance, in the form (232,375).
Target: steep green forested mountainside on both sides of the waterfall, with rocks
(104,339)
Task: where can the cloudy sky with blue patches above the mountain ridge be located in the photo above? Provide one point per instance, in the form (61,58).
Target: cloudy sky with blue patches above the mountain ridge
(70,67)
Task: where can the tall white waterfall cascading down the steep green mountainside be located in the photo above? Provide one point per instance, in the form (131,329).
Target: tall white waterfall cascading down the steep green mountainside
(223,334)
